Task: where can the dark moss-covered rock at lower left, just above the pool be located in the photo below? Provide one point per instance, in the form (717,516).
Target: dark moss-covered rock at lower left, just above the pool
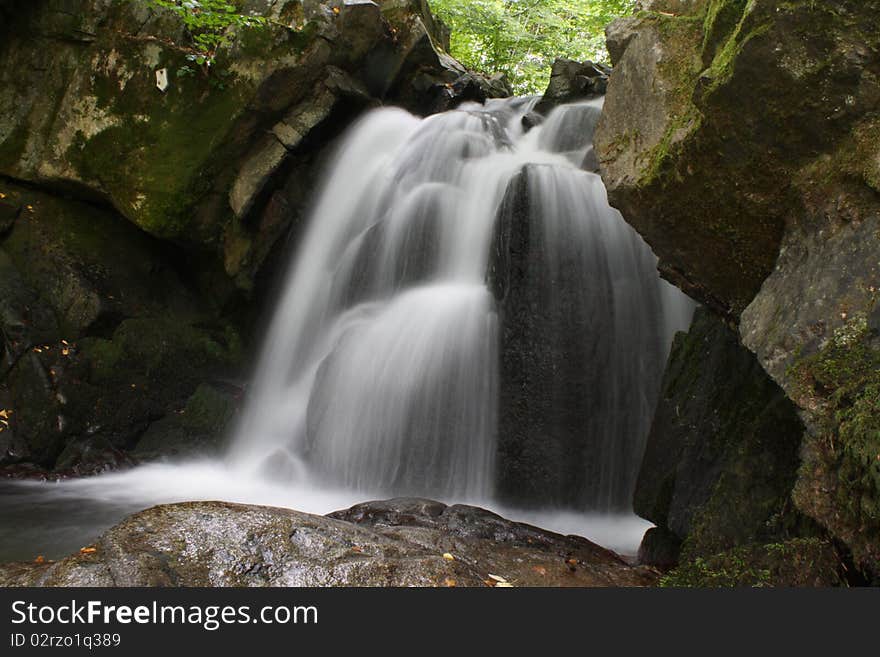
(113,390)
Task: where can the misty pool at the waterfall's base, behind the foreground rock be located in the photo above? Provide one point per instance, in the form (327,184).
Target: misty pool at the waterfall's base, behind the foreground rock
(54,519)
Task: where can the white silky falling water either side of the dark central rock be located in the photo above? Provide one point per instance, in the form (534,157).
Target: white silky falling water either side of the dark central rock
(380,367)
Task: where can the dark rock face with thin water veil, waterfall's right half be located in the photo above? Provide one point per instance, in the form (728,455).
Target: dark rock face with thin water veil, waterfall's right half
(580,350)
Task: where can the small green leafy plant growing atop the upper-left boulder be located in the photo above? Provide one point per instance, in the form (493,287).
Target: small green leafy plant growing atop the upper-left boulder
(208,23)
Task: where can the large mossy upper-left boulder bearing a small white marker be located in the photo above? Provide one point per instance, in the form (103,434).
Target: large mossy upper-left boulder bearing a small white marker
(198,161)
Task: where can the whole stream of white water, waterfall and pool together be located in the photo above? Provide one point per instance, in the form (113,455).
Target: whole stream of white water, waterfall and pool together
(379,374)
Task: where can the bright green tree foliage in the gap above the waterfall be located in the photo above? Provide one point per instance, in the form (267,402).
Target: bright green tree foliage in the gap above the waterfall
(521,38)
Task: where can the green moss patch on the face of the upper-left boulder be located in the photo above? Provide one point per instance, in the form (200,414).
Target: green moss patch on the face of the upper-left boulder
(156,163)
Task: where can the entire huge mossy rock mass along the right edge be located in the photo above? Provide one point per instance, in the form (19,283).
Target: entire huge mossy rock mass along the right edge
(741,140)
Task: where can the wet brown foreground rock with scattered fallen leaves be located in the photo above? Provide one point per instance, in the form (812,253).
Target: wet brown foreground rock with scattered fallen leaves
(403,542)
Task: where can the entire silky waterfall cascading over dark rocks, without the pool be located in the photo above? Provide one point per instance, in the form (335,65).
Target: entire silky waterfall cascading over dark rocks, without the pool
(386,365)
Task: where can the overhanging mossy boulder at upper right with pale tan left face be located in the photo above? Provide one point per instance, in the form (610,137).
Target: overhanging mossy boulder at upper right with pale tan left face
(711,110)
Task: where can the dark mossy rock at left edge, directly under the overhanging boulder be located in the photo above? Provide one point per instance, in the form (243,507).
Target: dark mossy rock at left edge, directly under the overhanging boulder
(91,266)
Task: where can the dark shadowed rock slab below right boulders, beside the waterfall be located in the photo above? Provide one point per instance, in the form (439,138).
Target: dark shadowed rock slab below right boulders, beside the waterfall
(722,456)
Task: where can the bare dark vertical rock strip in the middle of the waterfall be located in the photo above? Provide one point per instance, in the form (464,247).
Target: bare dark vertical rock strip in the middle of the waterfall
(543,412)
